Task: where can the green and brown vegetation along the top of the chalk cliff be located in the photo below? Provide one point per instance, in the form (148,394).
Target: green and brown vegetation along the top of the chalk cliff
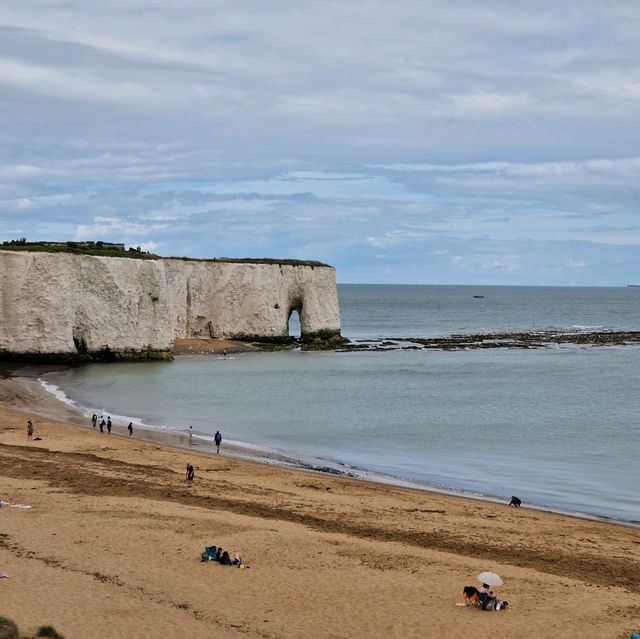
(109,249)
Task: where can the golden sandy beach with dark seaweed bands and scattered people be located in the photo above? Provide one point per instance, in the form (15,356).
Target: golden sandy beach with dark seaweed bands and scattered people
(111,547)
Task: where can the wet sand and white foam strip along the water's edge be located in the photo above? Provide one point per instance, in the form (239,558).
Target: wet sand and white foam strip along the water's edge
(66,410)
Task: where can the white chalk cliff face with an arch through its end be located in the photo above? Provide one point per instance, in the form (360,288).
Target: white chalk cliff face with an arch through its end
(77,306)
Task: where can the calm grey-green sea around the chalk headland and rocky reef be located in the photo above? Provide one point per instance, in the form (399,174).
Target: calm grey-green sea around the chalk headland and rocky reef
(557,426)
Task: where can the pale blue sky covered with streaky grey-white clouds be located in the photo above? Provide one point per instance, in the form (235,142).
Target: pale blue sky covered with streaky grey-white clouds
(417,141)
